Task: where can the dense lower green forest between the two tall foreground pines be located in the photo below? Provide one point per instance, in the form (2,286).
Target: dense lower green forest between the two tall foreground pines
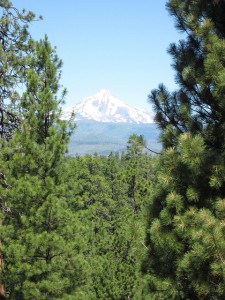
(113,232)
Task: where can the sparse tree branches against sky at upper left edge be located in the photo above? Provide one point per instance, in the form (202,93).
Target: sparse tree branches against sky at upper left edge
(15,44)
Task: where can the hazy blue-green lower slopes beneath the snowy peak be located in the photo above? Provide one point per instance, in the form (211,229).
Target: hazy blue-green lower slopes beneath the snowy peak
(103,138)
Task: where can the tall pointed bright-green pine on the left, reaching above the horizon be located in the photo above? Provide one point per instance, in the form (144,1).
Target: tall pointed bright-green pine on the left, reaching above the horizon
(40,235)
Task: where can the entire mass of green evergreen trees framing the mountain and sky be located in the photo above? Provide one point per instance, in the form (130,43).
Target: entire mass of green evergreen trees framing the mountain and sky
(135,225)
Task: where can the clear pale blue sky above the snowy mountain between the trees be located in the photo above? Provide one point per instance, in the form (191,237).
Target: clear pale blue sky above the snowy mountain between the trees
(120,45)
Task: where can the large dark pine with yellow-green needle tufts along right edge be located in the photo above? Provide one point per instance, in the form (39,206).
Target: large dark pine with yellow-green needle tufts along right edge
(186,216)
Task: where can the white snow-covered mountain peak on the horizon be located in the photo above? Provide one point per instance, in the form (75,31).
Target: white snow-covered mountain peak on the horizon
(104,107)
